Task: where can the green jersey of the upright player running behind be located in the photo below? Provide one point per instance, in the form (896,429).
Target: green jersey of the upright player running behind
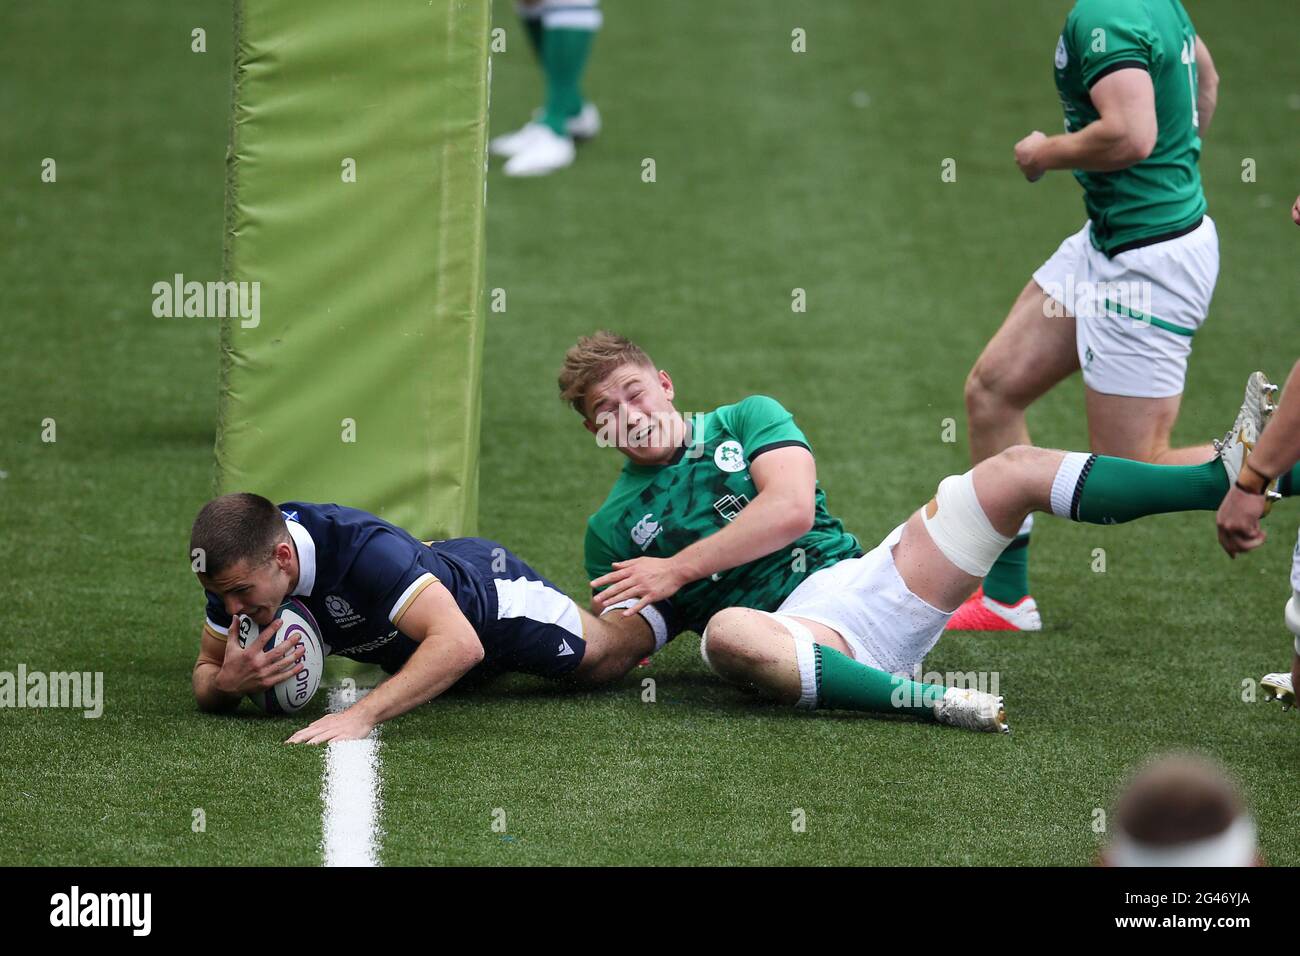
(1162,196)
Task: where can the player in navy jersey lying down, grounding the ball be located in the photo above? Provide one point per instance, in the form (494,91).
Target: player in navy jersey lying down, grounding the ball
(427,612)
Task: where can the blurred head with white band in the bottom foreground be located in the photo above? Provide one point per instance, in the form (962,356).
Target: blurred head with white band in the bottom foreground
(1182,811)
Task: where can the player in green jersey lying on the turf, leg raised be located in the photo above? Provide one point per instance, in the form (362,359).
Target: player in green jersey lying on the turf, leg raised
(718,525)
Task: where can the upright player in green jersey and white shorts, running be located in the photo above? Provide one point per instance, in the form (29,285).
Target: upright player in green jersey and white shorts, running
(1121,299)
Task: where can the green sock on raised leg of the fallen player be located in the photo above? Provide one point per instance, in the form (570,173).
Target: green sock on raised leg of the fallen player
(1112,491)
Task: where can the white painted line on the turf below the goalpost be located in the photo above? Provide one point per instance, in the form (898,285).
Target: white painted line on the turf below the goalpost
(350,795)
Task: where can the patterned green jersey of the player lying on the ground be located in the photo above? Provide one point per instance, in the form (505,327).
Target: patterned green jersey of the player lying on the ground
(660,511)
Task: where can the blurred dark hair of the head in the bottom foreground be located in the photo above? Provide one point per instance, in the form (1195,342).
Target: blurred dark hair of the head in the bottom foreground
(1178,801)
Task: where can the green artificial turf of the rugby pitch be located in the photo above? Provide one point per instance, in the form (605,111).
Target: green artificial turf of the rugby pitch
(775,171)
